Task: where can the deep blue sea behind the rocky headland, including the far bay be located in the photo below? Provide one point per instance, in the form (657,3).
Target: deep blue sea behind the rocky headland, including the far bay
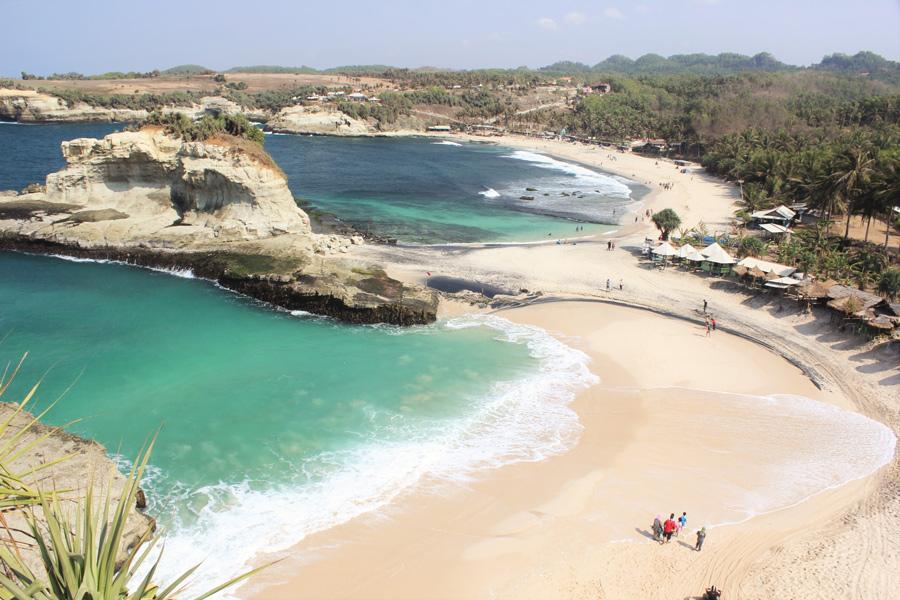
(418,190)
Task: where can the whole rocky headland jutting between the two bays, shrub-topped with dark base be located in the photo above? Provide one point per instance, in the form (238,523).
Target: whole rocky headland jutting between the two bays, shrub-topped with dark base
(219,205)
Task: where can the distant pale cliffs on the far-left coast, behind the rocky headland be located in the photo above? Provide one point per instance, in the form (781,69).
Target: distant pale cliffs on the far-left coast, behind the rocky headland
(29,106)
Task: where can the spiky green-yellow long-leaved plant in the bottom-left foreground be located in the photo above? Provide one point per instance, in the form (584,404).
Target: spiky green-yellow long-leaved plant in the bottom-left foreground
(80,550)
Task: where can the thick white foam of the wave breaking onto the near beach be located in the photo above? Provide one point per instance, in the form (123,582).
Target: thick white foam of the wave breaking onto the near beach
(524,420)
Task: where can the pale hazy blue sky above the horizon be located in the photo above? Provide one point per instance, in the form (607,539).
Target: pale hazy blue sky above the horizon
(93,36)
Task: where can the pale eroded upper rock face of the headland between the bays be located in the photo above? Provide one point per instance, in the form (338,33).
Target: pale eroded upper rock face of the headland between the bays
(172,190)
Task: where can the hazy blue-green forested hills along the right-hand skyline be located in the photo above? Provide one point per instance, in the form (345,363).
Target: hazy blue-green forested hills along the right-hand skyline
(724,63)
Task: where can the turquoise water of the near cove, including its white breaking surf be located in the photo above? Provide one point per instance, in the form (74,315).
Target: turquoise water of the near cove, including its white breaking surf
(275,425)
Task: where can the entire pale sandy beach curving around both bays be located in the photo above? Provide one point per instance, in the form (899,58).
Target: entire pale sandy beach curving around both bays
(679,422)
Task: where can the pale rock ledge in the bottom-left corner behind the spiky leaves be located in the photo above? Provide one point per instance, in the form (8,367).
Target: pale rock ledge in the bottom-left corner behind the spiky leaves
(87,463)
